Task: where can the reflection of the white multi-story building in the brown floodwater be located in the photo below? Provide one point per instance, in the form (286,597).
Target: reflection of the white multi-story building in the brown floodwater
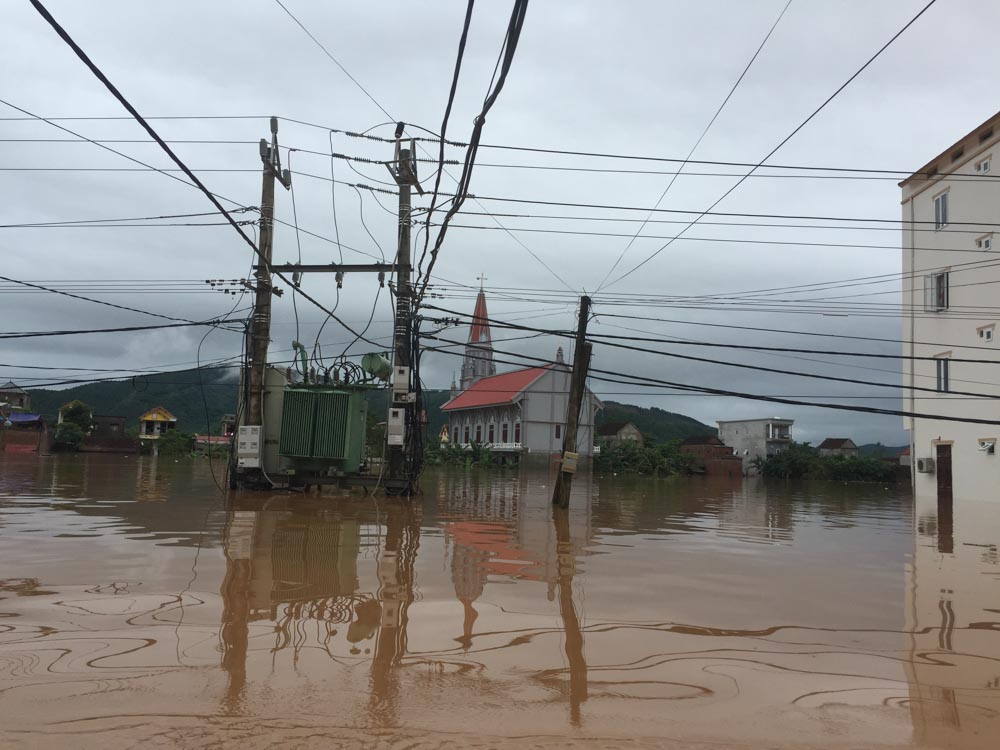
(953,624)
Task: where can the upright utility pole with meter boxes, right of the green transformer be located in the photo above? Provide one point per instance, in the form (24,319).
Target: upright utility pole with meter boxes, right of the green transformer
(404,411)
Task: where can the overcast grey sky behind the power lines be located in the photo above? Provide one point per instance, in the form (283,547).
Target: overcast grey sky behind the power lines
(640,78)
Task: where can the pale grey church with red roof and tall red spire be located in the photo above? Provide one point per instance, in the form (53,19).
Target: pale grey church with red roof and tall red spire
(522,411)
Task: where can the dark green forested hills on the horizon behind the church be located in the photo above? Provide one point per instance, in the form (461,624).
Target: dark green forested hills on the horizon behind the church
(186,398)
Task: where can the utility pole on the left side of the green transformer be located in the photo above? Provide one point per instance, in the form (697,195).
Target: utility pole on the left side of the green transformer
(260,324)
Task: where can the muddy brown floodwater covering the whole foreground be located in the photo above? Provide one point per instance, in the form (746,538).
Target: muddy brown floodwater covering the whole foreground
(138,607)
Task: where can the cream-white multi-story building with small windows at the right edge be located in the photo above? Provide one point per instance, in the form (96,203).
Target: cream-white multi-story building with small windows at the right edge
(951,306)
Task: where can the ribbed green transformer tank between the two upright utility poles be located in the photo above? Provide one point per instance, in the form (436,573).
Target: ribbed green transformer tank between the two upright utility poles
(323,428)
